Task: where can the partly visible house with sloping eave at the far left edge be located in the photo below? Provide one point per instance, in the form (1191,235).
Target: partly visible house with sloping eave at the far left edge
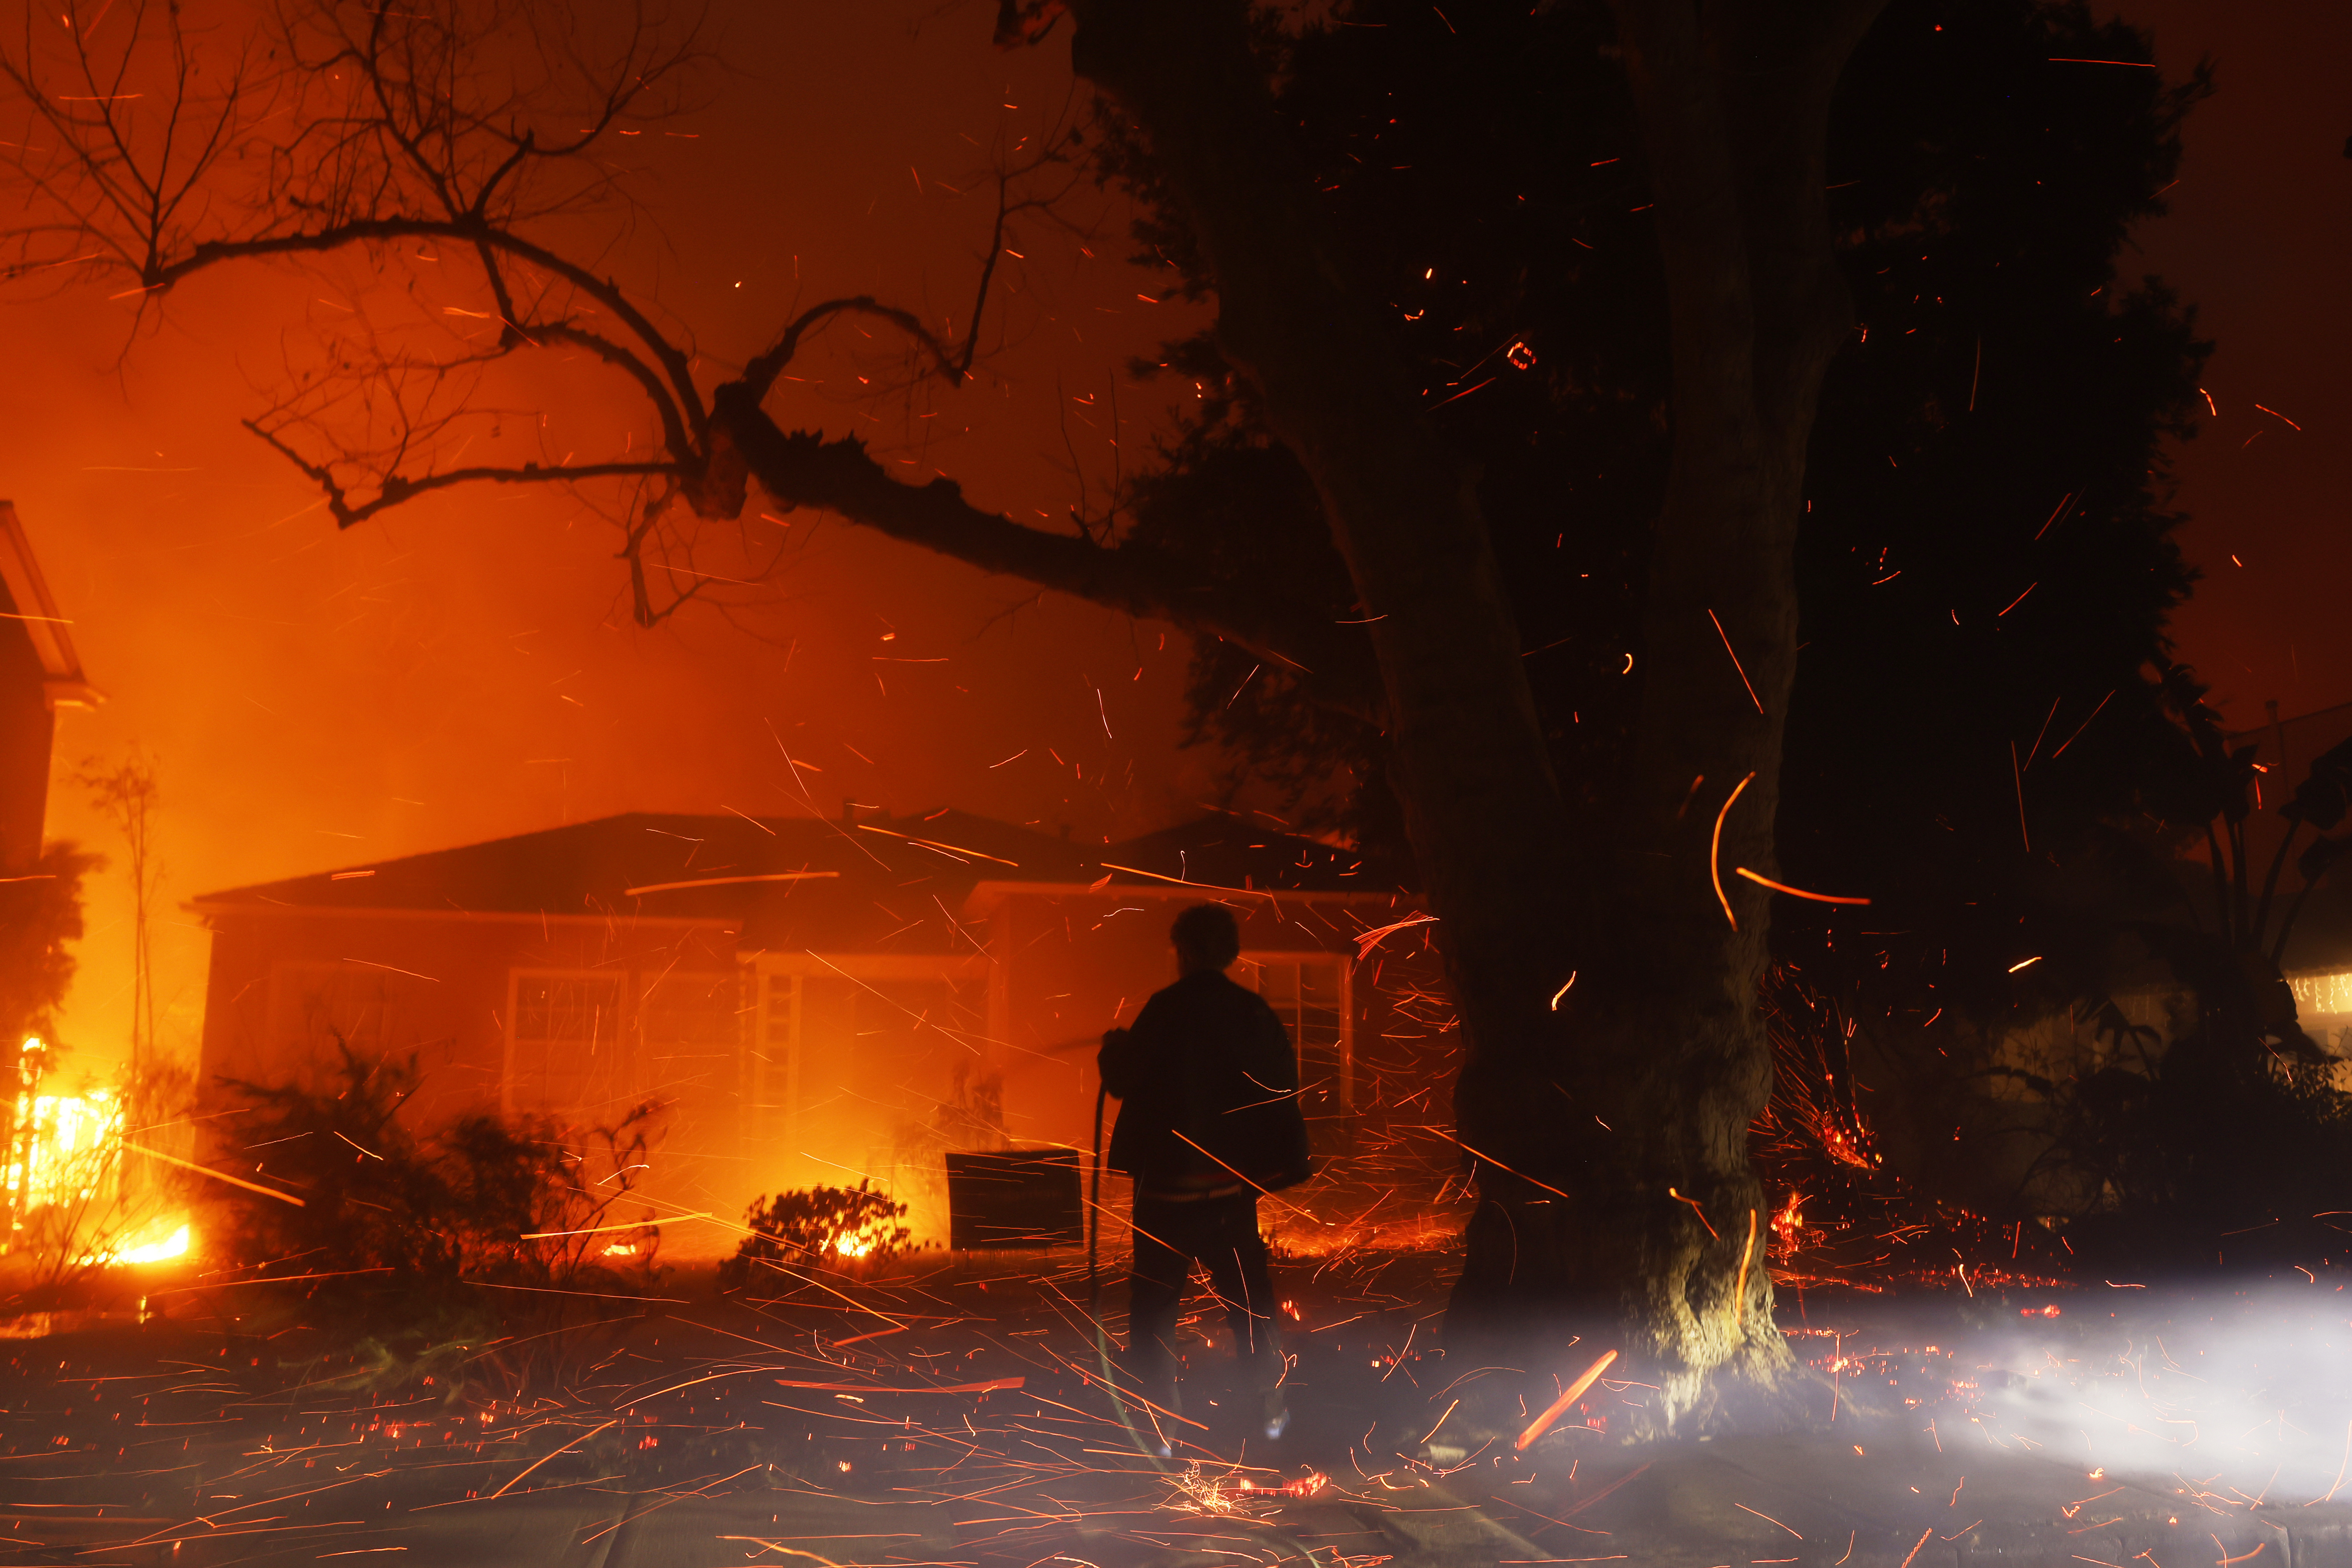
(39,676)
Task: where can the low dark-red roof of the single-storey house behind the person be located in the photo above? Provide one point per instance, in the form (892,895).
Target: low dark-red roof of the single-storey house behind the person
(855,880)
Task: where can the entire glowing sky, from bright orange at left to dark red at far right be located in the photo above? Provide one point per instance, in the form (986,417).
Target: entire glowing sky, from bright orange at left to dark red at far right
(465,669)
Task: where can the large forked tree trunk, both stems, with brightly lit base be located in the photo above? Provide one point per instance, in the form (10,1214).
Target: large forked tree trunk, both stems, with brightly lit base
(1610,1123)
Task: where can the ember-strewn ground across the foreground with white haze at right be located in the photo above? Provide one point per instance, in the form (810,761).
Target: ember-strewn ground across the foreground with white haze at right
(954,1419)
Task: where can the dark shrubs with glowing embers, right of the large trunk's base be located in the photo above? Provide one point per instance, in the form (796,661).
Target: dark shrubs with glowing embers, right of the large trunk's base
(2212,1139)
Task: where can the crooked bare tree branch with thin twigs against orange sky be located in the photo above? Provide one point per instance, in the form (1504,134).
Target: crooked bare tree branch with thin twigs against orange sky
(377,130)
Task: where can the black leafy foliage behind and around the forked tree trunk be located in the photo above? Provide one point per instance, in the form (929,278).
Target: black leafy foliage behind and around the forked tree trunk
(1996,429)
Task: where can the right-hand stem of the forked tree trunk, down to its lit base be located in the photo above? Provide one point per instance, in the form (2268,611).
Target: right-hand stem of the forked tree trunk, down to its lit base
(1671,1064)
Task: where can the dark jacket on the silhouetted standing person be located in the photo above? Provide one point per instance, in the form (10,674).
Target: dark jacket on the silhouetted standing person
(1210,1061)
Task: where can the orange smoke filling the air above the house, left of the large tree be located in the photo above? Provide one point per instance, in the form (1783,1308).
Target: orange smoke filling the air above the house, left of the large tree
(465,669)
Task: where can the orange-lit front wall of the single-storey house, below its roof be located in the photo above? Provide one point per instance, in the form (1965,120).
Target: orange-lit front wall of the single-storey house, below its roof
(789,1068)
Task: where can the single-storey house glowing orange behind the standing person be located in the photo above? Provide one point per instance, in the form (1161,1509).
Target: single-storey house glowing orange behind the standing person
(813,1003)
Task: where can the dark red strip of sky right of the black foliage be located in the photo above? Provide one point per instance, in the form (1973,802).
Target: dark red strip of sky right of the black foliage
(2259,236)
